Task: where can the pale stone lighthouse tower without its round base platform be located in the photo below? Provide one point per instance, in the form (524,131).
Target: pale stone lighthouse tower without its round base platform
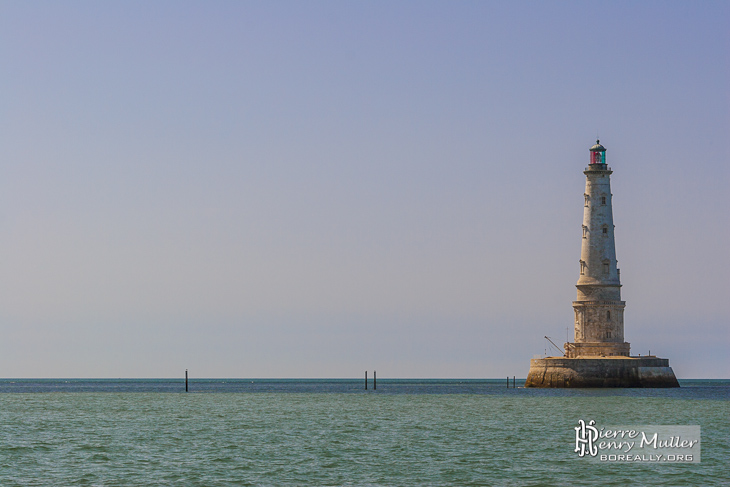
(599,311)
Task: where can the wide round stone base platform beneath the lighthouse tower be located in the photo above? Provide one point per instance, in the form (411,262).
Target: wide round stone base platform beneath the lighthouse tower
(601,372)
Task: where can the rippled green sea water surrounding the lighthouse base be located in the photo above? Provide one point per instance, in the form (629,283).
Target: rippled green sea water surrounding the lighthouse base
(334,432)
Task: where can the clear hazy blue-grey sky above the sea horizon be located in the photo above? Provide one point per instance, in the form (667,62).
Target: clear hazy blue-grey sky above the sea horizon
(316,189)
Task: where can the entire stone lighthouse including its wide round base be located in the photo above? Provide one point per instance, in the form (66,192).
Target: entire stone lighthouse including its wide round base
(599,356)
